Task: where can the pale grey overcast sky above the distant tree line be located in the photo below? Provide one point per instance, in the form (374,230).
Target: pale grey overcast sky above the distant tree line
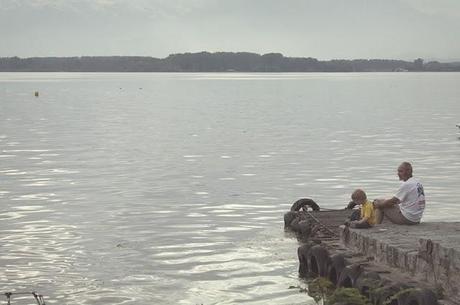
(324,29)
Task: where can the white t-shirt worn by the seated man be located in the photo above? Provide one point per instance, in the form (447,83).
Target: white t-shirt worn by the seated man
(412,199)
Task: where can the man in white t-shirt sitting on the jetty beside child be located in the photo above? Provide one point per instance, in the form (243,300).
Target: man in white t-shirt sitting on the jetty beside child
(407,205)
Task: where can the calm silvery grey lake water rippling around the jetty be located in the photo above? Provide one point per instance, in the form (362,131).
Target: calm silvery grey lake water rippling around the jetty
(171,188)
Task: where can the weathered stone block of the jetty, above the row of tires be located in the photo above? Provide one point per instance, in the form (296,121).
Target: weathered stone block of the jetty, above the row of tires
(428,252)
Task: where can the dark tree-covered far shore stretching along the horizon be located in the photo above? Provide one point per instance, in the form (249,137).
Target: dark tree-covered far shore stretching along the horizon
(215,62)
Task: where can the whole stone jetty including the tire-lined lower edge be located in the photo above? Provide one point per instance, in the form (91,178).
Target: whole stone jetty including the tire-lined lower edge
(390,264)
